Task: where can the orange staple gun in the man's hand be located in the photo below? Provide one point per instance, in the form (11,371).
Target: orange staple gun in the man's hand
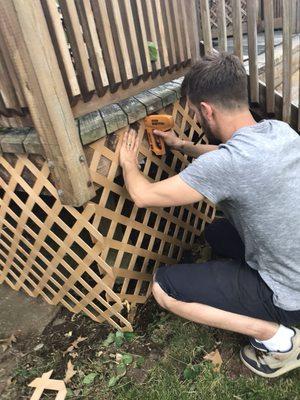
(161,122)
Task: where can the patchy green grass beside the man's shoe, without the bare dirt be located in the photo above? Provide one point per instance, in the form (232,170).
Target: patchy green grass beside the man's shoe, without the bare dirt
(161,352)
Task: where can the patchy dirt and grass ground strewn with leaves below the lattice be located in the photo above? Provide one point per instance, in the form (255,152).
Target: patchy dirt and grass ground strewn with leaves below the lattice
(165,358)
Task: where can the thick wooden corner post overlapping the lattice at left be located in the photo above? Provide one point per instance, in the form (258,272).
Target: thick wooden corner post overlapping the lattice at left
(24,30)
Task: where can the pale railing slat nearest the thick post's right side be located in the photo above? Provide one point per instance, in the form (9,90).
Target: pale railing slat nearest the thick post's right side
(58,38)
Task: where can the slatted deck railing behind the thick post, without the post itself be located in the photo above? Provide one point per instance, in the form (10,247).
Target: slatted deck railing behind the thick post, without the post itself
(103,49)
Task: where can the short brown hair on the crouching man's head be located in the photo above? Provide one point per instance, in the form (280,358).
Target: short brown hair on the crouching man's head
(218,78)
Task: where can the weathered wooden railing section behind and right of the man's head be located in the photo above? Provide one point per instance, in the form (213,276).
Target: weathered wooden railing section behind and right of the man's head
(263,96)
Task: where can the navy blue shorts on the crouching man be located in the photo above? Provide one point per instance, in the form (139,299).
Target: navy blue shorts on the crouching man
(229,284)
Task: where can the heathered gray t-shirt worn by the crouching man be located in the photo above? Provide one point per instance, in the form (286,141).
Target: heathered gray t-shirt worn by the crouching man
(255,179)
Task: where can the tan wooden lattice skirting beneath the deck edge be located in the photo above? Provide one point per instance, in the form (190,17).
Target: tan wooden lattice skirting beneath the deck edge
(99,257)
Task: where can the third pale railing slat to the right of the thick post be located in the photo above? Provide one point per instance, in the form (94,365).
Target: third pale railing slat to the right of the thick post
(93,45)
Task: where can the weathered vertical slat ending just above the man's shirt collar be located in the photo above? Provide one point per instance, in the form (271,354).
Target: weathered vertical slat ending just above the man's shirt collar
(269,40)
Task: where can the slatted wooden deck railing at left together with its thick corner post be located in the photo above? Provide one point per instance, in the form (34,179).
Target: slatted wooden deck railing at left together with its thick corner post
(60,60)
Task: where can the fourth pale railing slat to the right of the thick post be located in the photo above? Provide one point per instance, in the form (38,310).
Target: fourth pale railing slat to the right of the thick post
(107,43)
